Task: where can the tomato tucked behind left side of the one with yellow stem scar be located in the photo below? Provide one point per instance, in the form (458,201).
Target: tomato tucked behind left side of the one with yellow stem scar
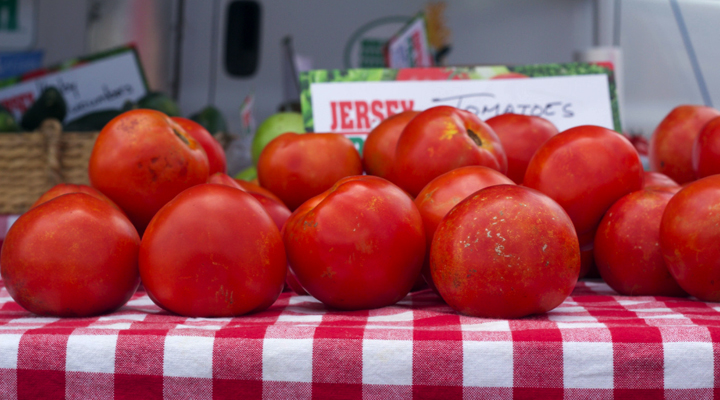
(379,148)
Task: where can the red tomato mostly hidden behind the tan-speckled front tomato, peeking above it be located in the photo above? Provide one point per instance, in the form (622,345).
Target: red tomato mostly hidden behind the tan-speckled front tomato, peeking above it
(444,192)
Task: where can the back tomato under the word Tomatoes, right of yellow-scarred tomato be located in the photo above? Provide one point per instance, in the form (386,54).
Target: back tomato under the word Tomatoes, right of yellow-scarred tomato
(521,136)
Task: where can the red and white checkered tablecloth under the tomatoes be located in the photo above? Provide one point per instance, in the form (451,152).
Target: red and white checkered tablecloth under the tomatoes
(597,344)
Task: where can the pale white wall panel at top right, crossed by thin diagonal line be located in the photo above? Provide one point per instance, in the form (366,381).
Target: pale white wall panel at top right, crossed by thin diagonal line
(658,73)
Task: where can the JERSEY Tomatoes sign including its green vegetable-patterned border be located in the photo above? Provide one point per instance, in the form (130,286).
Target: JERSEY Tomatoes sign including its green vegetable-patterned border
(353,102)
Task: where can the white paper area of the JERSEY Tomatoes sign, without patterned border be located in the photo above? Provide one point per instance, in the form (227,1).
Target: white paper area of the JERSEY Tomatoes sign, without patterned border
(354,108)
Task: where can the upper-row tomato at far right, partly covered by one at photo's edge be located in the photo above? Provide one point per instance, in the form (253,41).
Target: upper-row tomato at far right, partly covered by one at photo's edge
(671,145)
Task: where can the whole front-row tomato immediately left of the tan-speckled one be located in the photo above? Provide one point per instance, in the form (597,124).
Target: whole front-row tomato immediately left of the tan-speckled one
(359,245)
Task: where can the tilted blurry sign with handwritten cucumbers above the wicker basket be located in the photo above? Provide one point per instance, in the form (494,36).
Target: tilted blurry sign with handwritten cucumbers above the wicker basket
(98,83)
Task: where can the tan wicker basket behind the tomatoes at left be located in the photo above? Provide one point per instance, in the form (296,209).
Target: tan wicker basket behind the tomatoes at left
(33,162)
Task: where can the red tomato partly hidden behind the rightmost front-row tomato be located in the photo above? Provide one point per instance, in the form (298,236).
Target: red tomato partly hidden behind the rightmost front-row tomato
(627,246)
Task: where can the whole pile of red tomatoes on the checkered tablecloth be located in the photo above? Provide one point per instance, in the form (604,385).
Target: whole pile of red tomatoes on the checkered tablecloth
(500,218)
